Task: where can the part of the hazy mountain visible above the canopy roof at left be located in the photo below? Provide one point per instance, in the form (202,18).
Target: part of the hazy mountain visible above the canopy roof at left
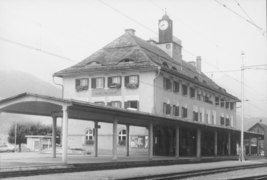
(16,82)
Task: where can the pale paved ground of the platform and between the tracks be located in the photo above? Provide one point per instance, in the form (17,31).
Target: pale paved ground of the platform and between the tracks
(26,161)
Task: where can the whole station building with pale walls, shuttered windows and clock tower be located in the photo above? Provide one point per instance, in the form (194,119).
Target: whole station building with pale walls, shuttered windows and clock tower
(152,77)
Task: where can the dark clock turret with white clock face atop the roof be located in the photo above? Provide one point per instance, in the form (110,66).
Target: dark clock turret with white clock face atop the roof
(165,30)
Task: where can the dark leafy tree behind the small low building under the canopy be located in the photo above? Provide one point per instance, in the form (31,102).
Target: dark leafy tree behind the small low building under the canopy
(28,128)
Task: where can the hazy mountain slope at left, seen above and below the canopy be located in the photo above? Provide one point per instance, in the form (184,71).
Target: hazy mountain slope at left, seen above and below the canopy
(16,82)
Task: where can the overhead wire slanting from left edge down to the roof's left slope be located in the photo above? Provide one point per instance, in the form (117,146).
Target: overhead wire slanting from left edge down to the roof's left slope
(35,49)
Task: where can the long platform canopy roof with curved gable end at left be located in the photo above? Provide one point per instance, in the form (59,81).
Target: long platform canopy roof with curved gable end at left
(41,105)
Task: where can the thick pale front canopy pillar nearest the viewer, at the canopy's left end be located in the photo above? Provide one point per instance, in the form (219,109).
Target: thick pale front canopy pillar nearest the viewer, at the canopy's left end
(65,135)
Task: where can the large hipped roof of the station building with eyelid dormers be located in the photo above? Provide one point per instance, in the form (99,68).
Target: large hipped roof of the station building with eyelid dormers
(141,55)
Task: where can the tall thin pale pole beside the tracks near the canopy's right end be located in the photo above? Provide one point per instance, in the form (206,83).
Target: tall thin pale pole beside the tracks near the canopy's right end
(242,107)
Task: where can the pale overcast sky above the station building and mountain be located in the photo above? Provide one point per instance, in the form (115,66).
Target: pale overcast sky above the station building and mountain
(41,37)
